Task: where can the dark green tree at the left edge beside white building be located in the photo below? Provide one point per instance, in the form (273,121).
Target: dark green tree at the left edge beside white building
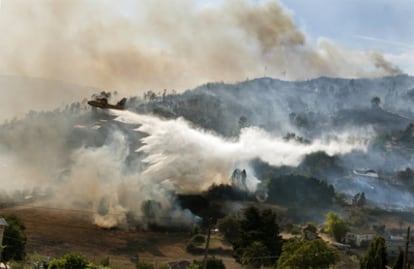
(14,239)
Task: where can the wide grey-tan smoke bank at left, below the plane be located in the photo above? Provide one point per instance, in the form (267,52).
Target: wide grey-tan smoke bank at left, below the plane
(37,161)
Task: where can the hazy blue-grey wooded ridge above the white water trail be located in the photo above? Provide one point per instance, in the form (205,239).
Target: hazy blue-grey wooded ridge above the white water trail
(306,107)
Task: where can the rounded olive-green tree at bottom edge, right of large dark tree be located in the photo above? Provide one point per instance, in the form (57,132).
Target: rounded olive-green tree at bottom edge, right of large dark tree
(298,254)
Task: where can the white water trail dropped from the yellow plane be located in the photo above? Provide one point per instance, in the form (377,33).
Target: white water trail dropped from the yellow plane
(192,159)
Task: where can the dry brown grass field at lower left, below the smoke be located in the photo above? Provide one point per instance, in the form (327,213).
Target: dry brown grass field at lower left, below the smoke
(53,232)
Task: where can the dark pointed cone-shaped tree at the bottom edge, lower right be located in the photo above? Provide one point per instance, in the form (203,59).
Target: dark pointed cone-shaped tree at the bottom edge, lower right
(376,255)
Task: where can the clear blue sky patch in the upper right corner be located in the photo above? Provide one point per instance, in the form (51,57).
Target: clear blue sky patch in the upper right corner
(383,25)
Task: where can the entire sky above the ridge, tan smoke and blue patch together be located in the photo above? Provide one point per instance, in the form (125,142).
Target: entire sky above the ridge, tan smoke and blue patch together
(132,46)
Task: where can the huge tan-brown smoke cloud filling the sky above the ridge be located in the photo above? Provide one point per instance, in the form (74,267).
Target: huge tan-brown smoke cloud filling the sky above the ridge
(137,45)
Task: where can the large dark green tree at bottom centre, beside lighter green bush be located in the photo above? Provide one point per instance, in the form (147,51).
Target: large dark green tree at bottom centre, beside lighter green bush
(258,230)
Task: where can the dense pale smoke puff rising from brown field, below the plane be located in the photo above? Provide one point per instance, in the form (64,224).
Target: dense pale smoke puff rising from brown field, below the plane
(100,178)
